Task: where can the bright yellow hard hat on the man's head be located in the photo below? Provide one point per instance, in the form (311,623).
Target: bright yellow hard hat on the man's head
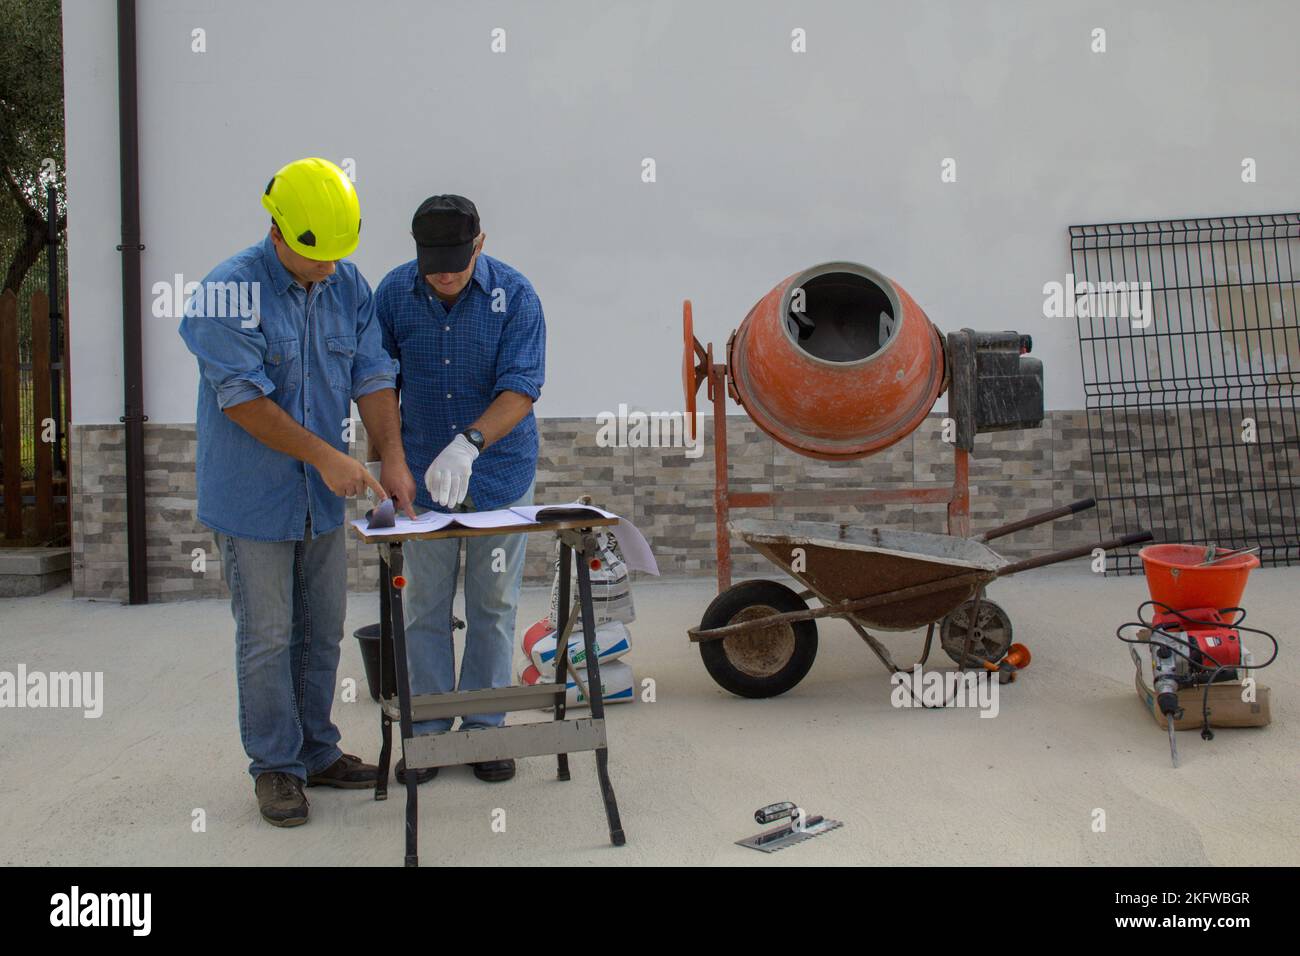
(317,209)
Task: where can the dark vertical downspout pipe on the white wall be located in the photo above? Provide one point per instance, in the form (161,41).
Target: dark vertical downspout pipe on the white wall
(133,362)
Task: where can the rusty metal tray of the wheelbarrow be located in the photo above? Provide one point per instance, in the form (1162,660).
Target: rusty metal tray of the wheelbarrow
(844,563)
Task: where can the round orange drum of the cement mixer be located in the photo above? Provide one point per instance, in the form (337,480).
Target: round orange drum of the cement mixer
(838,362)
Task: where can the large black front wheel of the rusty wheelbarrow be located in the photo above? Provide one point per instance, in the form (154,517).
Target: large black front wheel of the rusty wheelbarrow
(768,663)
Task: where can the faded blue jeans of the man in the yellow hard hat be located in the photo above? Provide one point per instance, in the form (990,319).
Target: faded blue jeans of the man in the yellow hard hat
(289,600)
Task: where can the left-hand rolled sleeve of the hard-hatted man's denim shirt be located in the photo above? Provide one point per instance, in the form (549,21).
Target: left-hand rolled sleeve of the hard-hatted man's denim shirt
(232,358)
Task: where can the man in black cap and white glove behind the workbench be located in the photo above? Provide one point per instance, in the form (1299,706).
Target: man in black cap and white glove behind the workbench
(470,338)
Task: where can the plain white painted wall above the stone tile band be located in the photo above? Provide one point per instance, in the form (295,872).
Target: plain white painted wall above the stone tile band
(768,162)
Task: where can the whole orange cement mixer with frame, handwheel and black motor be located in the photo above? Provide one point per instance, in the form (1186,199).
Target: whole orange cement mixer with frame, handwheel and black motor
(839,362)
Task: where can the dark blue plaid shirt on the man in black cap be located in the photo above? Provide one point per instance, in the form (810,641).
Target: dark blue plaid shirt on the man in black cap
(457,361)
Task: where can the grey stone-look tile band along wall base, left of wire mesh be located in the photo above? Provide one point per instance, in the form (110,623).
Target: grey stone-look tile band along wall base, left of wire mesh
(664,491)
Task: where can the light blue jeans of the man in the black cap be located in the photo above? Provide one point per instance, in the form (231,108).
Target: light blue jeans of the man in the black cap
(492,599)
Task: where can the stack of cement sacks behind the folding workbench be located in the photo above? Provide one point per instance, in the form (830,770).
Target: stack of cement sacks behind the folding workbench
(612,603)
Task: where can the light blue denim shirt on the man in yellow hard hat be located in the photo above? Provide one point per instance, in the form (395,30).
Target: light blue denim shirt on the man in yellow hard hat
(257,332)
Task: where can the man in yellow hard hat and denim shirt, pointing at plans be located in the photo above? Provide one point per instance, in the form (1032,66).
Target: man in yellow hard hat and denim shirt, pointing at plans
(287,339)
